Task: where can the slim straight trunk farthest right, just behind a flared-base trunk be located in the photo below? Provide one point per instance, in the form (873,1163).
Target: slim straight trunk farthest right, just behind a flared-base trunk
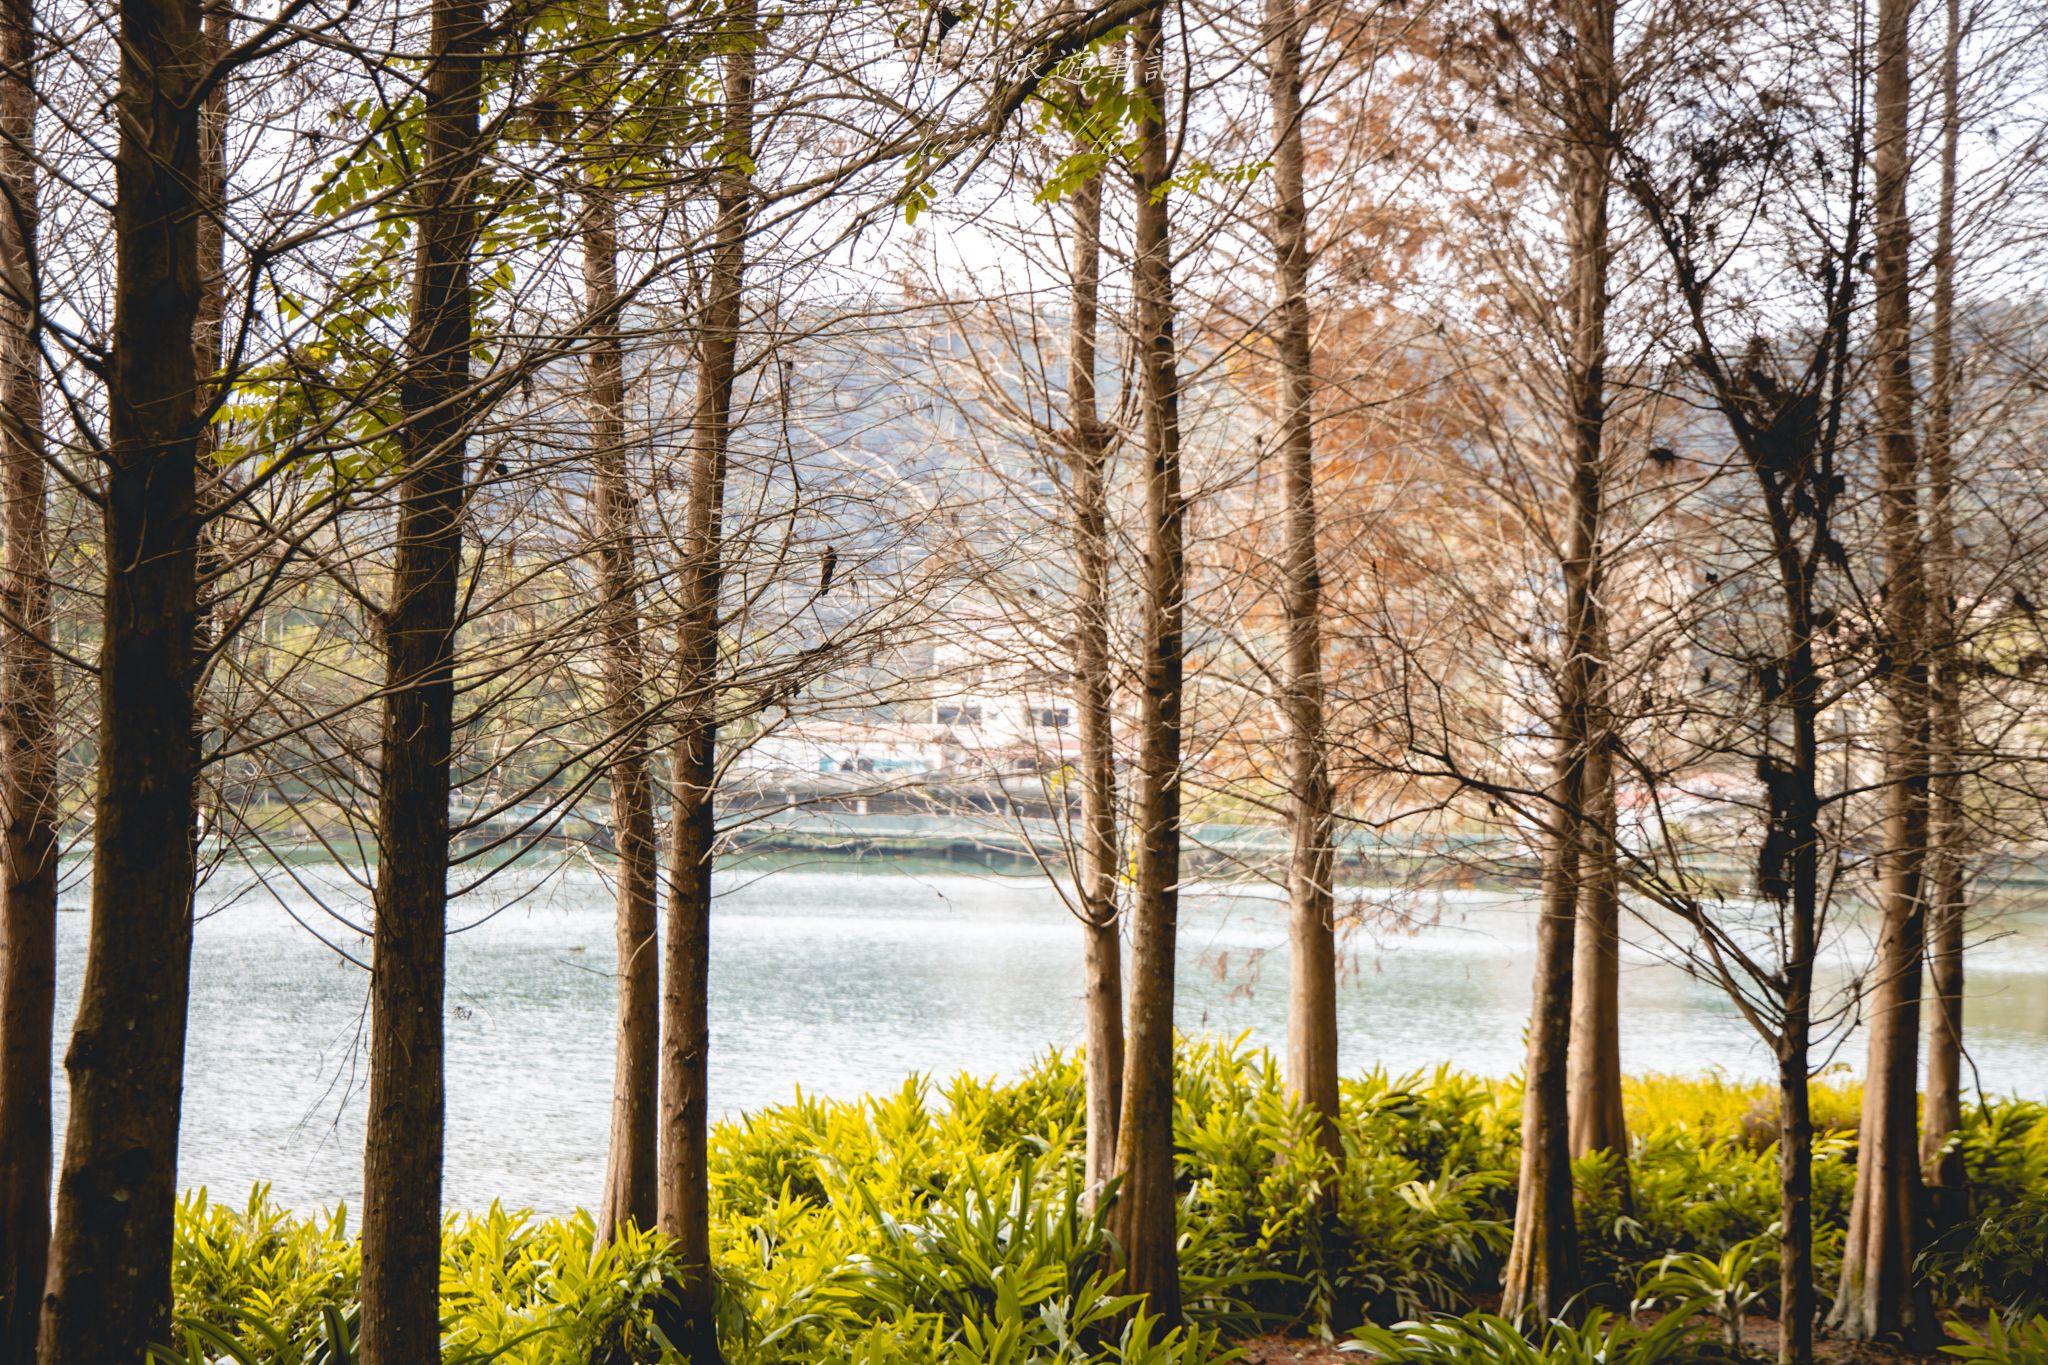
(1949,897)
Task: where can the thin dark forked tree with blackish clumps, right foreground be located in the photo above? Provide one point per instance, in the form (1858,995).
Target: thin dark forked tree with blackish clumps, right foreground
(1789,423)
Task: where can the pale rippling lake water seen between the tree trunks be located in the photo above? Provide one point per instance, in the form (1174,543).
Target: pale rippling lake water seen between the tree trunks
(841,981)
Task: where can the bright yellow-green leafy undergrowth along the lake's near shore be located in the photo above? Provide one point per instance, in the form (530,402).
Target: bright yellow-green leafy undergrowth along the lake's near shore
(947,1225)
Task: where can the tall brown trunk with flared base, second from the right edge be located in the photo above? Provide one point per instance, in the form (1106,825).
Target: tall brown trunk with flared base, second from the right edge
(1879,1292)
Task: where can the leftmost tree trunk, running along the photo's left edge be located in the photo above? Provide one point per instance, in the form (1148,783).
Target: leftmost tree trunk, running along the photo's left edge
(28,721)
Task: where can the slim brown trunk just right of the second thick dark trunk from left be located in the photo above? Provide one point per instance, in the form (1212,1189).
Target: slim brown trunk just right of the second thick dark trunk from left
(630,1170)
